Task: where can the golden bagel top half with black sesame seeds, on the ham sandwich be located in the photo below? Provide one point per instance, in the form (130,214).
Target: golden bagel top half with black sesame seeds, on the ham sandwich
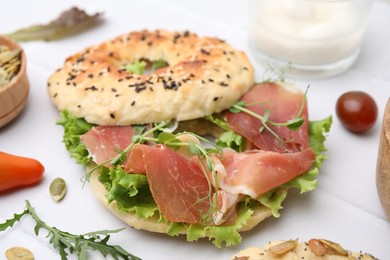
(203,76)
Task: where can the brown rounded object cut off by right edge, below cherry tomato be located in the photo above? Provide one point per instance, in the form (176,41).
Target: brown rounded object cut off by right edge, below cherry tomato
(383,163)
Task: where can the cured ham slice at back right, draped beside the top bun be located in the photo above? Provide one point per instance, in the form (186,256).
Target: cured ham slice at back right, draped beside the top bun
(284,103)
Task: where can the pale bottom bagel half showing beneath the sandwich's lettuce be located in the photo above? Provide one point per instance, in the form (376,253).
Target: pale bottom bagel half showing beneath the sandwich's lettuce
(152,224)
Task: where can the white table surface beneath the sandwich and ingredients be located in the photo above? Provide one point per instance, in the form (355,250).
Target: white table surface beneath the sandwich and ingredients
(345,207)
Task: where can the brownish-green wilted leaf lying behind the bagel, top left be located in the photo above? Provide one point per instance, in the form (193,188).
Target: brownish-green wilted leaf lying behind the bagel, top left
(70,22)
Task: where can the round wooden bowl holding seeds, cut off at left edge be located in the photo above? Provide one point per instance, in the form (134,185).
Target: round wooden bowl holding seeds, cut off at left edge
(13,96)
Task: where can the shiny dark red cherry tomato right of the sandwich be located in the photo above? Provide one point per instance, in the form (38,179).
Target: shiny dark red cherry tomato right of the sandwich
(357,111)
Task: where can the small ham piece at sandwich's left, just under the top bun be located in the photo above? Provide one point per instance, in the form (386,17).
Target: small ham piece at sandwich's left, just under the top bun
(104,142)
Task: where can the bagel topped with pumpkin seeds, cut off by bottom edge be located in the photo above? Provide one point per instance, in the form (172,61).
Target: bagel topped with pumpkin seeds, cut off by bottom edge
(314,249)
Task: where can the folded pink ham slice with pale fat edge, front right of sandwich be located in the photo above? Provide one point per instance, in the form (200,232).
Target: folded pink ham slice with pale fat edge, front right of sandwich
(256,172)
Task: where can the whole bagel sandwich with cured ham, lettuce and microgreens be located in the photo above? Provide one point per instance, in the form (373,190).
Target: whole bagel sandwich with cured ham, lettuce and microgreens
(193,147)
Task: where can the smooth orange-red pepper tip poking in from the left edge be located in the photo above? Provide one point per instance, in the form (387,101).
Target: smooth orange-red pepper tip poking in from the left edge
(17,171)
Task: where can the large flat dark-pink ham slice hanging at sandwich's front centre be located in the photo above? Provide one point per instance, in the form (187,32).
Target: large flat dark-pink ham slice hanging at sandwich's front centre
(179,188)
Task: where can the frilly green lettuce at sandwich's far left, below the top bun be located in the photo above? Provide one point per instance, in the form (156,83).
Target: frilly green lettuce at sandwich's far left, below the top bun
(74,128)
